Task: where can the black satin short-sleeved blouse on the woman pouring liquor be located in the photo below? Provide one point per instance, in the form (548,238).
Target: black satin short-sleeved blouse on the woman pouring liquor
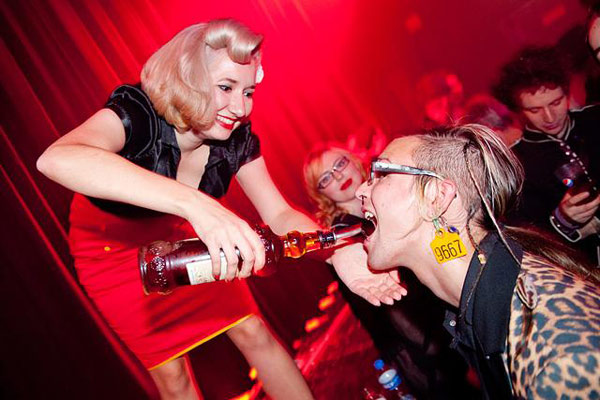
(150,143)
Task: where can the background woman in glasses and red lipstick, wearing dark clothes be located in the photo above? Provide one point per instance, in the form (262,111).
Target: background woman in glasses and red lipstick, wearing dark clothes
(401,332)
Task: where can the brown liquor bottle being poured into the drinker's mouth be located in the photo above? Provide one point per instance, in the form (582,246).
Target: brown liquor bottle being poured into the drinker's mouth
(167,265)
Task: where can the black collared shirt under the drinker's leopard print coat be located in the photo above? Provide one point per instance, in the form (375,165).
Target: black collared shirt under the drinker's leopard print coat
(480,327)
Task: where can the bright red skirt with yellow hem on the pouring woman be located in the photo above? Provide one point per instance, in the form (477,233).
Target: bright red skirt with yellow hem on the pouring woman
(156,328)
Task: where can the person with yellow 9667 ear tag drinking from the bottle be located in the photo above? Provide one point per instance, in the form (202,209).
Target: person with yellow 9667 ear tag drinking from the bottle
(522,311)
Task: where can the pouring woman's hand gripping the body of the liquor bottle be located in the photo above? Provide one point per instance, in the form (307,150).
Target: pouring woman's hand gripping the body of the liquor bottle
(222,230)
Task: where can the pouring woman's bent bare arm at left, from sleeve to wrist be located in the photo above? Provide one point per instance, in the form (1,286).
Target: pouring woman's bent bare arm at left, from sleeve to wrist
(84,161)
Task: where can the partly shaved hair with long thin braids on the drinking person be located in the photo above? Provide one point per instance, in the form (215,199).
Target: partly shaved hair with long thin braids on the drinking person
(489,179)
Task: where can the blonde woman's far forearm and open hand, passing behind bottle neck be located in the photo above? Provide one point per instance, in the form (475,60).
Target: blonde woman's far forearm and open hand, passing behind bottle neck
(350,261)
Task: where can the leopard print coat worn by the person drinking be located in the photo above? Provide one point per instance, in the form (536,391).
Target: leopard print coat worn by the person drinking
(553,347)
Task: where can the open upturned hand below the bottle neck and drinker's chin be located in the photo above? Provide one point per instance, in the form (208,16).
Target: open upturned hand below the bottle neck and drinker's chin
(350,263)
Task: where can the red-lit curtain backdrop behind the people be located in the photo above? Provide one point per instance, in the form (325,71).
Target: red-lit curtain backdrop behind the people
(333,69)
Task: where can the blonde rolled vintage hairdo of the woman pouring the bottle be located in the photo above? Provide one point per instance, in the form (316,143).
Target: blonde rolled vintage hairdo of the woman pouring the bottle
(176,77)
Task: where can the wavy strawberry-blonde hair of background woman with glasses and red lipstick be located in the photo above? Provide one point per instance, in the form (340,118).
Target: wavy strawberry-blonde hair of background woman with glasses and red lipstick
(313,168)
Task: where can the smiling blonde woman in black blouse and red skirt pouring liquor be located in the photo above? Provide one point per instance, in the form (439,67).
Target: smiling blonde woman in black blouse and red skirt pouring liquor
(149,165)
